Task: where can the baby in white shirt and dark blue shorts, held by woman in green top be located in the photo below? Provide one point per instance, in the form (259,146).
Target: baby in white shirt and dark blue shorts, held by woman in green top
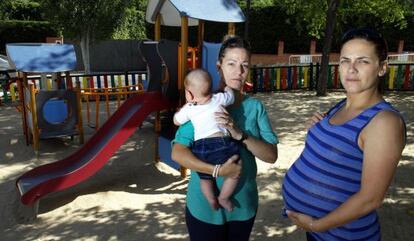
(211,142)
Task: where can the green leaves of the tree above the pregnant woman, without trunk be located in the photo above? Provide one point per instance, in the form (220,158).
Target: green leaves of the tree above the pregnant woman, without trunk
(374,13)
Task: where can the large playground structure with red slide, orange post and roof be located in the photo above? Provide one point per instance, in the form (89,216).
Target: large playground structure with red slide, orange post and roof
(164,87)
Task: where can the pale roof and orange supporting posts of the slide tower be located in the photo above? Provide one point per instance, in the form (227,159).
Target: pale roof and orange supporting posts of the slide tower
(180,13)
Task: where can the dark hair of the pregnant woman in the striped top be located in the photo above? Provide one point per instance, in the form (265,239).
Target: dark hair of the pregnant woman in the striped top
(370,35)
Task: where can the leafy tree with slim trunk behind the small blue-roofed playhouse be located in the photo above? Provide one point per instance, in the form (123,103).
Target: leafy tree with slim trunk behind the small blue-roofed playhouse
(85,21)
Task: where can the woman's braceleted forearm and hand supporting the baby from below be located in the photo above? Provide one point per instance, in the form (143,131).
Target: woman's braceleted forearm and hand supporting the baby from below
(183,156)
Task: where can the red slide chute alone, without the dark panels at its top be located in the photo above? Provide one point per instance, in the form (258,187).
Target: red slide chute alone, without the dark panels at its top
(94,154)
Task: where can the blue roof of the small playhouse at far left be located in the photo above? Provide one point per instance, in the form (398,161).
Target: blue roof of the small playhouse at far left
(41,57)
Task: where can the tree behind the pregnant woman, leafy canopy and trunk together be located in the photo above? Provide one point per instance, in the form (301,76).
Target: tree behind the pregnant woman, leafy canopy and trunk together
(318,17)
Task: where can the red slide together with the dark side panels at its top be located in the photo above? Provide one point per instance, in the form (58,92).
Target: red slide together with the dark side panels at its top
(114,132)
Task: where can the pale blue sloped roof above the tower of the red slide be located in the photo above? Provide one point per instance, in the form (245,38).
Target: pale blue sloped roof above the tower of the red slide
(209,10)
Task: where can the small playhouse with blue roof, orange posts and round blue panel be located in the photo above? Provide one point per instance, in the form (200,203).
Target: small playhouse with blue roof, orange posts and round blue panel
(47,113)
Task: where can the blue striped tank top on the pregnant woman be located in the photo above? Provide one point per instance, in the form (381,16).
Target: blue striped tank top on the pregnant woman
(328,172)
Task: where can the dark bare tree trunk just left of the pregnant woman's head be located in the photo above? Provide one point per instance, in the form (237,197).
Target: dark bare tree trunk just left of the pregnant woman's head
(329,28)
